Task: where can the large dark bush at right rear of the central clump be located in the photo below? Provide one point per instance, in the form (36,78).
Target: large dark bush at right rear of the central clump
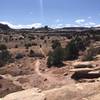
(71,51)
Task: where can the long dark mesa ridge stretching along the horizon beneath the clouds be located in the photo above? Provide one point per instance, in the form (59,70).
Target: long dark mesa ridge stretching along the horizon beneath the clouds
(47,29)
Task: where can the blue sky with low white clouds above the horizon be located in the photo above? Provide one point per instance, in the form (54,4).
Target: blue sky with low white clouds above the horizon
(55,13)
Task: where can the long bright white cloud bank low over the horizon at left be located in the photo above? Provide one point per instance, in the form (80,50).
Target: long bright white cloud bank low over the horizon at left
(36,25)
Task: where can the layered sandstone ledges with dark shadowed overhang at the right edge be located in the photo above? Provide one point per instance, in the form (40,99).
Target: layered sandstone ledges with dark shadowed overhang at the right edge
(85,70)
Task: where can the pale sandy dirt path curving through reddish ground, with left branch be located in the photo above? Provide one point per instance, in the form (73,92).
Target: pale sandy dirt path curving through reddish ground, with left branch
(49,78)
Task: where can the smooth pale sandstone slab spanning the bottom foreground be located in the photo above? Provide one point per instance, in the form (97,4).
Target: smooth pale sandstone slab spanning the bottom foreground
(80,91)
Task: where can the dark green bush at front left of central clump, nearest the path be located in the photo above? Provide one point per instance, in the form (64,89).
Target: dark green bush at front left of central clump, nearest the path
(56,57)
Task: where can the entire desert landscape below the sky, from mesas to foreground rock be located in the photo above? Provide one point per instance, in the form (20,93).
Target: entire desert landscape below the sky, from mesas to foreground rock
(49,64)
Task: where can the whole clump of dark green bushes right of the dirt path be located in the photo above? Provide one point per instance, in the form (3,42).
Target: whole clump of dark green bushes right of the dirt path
(70,52)
